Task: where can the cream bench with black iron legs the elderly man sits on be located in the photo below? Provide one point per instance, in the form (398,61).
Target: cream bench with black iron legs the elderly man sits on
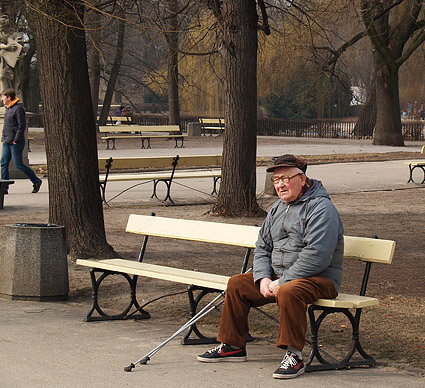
(366,250)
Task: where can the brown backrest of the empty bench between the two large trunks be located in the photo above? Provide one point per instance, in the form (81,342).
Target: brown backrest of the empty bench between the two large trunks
(163,161)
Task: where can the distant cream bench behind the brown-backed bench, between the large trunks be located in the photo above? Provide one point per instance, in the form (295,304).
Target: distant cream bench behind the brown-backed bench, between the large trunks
(143,132)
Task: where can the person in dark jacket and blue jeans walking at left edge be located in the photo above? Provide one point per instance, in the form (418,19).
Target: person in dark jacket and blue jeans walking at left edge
(13,138)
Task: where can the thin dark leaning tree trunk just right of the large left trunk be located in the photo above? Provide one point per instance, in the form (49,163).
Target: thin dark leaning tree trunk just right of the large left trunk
(115,69)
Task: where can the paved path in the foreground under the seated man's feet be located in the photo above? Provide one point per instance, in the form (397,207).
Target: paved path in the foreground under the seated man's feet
(45,345)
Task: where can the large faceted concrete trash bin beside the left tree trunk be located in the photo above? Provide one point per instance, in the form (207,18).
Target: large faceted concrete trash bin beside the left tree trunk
(33,262)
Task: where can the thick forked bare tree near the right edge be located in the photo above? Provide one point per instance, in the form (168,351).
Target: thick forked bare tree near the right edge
(395,30)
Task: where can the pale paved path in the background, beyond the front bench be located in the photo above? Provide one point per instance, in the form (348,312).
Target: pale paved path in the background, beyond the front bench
(337,177)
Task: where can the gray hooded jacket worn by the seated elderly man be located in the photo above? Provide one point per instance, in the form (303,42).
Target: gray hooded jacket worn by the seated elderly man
(302,239)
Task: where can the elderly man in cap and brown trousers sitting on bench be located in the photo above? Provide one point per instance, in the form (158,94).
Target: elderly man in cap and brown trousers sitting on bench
(297,259)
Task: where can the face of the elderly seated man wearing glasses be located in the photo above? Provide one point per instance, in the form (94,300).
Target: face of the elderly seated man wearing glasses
(291,190)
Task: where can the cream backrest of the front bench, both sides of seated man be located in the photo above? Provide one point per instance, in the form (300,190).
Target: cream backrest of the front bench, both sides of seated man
(358,248)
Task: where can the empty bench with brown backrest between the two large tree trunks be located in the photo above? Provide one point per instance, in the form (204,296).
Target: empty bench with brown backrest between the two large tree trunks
(167,177)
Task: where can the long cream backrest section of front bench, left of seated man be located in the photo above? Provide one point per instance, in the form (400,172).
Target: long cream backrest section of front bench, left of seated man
(203,231)
